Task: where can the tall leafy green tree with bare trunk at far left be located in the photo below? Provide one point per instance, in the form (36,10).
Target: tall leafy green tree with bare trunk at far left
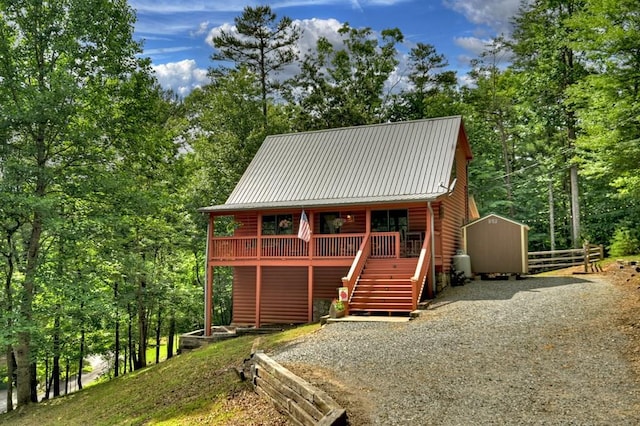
(59,64)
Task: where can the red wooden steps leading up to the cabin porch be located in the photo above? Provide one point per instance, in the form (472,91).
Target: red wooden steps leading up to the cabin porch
(384,286)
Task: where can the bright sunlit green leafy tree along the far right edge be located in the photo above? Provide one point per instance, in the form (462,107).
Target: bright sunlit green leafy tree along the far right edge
(608,106)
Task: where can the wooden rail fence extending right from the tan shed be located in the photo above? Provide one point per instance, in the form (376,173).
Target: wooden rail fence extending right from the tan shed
(588,256)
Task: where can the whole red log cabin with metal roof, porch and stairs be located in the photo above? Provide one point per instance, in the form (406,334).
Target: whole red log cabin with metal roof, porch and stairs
(384,204)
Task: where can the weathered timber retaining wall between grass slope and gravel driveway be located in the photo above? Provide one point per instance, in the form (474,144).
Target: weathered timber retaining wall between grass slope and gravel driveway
(305,404)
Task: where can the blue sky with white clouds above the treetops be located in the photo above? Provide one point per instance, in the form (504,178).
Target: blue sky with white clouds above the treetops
(177,33)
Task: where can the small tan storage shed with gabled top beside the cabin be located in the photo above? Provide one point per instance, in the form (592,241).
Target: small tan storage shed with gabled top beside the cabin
(497,245)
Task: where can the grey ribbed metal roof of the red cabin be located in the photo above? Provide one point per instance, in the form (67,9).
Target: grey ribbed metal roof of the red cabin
(394,162)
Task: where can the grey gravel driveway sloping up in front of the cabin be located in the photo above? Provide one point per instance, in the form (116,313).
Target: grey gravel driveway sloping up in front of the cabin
(538,351)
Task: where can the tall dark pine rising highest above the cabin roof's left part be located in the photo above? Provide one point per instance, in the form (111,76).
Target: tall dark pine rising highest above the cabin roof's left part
(261,44)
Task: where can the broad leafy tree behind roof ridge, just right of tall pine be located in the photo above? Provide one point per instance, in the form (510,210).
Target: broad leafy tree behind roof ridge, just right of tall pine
(339,87)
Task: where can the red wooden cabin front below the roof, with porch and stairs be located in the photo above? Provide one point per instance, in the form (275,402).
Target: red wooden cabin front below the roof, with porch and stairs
(280,275)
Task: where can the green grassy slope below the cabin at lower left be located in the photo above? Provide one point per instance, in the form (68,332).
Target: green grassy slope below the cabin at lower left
(181,390)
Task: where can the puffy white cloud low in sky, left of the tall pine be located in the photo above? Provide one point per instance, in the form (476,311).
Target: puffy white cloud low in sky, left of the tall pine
(181,77)
